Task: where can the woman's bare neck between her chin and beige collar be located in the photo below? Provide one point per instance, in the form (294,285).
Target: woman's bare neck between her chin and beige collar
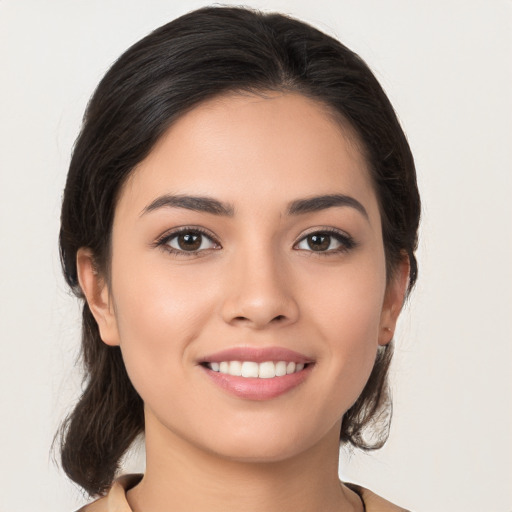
(182,476)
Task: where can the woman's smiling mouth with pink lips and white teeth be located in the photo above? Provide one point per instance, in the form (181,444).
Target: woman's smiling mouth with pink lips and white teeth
(257,374)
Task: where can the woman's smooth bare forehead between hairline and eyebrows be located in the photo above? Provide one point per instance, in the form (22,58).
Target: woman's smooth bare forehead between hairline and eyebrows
(251,149)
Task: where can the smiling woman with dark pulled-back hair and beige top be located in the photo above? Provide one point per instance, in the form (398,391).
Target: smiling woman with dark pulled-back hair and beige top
(240,217)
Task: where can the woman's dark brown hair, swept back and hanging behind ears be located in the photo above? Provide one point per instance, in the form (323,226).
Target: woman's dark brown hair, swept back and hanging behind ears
(203,54)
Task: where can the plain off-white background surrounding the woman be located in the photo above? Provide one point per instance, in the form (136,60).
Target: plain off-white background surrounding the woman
(446,67)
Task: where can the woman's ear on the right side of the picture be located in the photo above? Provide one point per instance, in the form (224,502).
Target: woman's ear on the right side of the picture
(393,301)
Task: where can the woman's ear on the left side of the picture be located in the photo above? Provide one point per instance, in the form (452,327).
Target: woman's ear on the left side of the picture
(97,294)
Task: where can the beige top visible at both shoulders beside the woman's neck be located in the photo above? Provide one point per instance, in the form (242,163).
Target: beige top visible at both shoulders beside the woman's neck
(115,500)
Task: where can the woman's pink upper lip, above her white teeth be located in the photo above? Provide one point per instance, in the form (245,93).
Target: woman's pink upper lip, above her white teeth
(256,354)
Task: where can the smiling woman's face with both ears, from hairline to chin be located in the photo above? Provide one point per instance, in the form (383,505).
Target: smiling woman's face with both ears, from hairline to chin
(248,241)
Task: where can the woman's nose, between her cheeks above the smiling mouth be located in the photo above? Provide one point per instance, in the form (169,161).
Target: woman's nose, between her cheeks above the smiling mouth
(259,292)
